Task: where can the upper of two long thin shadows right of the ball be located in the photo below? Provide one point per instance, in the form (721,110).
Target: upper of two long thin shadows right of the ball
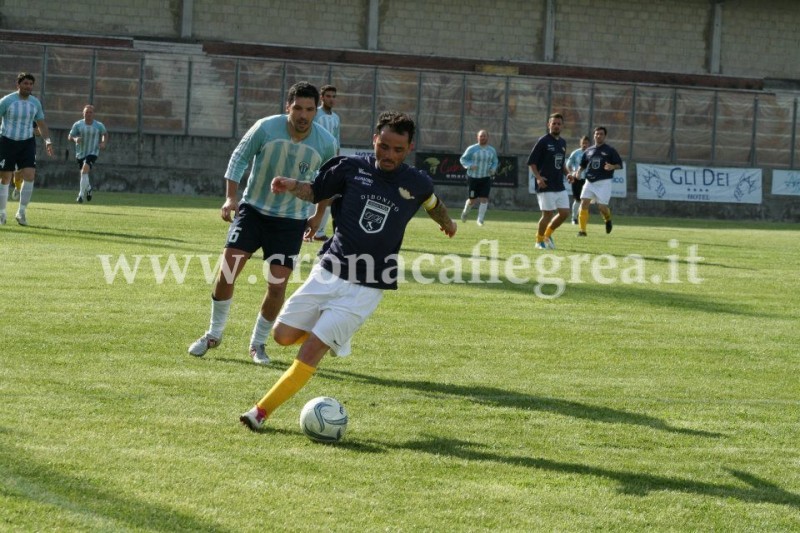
(505,398)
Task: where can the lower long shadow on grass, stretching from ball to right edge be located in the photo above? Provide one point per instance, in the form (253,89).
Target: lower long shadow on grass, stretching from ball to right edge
(756,491)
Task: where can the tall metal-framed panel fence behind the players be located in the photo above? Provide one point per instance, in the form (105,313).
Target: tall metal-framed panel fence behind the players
(200,95)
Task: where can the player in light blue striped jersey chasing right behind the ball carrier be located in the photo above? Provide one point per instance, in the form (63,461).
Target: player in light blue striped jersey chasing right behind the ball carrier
(288,145)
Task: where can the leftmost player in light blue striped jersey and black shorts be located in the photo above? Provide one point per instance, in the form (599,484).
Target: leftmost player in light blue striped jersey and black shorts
(19,110)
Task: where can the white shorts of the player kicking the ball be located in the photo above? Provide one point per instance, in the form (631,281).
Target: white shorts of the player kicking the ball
(331,308)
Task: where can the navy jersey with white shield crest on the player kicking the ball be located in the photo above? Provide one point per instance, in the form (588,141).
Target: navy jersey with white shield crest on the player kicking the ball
(370,217)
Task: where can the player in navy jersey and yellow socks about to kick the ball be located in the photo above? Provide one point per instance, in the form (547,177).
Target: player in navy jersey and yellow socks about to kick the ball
(379,196)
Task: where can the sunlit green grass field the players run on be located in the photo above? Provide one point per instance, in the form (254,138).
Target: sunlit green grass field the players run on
(654,393)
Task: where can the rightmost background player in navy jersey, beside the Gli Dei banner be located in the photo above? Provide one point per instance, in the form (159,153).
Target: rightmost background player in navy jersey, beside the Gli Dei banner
(600,161)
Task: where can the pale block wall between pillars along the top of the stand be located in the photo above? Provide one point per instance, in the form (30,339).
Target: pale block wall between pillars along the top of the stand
(759,37)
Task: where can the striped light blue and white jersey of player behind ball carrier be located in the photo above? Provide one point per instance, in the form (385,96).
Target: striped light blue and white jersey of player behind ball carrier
(272,152)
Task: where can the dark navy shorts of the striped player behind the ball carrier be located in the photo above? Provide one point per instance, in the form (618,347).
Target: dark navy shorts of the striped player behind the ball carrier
(279,238)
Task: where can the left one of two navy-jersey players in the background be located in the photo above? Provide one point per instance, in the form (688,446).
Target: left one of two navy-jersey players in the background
(547,162)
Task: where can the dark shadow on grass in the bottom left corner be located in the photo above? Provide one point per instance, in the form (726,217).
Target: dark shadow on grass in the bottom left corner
(25,479)
